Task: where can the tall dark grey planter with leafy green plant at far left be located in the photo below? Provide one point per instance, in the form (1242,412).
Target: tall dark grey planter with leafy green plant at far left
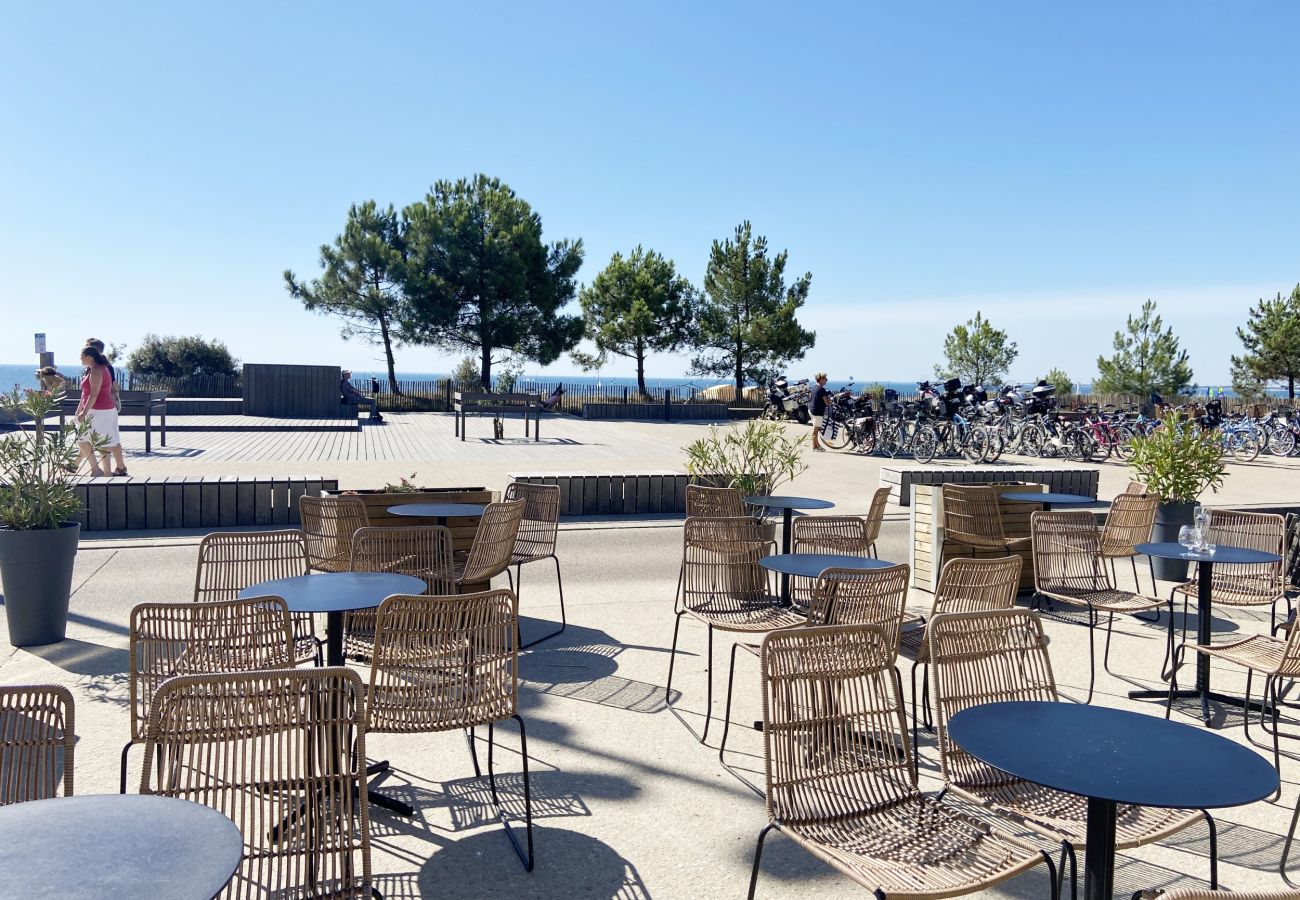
(38,504)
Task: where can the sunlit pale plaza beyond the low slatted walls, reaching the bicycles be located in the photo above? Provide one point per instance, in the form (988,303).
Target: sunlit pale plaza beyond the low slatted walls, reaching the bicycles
(423,443)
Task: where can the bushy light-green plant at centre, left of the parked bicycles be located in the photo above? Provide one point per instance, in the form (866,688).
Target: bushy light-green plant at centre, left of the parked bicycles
(755,458)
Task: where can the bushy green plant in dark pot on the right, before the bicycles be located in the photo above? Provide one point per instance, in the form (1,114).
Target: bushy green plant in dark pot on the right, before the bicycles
(1177,462)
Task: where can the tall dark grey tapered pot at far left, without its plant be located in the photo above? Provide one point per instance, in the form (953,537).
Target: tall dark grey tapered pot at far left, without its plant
(37,581)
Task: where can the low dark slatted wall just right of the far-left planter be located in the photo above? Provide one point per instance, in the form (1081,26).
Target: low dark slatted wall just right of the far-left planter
(180,501)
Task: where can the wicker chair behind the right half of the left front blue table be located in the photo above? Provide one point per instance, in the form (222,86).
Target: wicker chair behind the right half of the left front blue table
(419,551)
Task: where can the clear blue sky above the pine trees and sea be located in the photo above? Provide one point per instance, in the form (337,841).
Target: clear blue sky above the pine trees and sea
(1051,165)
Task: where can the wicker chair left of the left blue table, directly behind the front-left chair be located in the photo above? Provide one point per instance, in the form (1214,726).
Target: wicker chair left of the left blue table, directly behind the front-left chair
(201,639)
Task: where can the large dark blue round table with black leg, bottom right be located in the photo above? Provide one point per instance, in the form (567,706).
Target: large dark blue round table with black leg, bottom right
(1112,758)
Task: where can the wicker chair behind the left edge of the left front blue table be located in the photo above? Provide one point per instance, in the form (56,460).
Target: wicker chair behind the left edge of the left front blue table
(232,561)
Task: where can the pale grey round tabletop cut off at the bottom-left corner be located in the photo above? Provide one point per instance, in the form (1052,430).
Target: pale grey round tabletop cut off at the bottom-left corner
(116,846)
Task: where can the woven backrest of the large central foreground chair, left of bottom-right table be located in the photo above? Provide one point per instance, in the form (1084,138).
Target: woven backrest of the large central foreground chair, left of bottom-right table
(835,743)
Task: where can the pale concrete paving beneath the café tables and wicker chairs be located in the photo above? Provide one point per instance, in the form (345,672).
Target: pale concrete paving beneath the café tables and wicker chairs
(627,803)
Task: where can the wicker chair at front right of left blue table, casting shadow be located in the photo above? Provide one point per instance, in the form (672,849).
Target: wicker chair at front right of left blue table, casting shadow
(450,664)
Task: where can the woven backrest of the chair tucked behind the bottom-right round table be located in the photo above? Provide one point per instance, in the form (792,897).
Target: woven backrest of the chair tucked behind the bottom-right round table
(987,657)
